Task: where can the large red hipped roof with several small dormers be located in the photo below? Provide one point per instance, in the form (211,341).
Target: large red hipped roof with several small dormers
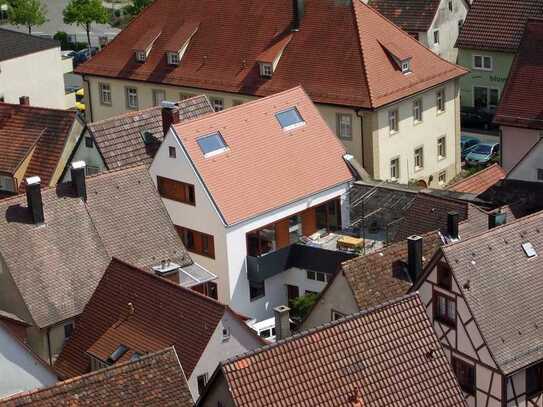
(335,36)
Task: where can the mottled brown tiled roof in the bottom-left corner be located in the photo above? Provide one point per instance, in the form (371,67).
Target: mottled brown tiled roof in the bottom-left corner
(156,379)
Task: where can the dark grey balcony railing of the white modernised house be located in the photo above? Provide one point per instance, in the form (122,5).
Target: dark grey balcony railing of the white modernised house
(295,255)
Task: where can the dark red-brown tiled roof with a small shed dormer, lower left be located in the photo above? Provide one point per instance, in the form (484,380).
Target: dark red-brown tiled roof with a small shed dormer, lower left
(161,314)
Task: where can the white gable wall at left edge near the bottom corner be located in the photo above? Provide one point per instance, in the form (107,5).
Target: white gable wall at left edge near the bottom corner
(19,369)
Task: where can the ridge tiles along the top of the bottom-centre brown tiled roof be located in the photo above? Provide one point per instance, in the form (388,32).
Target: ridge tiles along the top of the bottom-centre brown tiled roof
(321,327)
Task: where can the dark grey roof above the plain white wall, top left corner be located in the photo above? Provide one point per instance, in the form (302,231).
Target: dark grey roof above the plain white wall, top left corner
(15,44)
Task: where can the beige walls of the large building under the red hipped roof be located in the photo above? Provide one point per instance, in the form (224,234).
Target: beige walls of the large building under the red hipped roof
(371,144)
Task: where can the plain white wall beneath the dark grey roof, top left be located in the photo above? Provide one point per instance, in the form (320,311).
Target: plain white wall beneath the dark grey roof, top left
(39,75)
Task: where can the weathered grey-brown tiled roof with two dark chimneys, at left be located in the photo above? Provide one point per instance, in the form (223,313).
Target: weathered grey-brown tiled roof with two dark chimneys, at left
(56,266)
